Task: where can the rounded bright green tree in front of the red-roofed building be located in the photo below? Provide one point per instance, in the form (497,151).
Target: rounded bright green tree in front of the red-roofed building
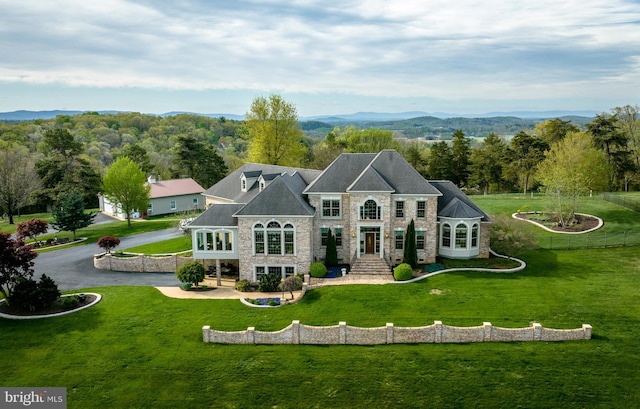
(124,184)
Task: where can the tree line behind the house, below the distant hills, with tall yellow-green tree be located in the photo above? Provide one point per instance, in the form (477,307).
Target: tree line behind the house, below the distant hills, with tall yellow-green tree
(41,159)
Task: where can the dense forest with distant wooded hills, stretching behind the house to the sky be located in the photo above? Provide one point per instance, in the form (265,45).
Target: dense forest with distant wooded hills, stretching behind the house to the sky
(480,155)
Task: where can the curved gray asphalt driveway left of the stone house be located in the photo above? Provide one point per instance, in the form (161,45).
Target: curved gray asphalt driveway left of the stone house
(72,268)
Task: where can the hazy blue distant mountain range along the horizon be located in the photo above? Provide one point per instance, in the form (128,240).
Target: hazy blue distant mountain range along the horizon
(358,116)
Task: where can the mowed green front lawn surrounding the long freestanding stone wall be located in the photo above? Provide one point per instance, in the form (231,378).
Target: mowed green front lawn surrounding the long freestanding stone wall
(139,349)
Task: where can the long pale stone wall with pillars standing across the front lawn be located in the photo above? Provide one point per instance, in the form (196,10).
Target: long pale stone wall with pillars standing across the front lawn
(343,334)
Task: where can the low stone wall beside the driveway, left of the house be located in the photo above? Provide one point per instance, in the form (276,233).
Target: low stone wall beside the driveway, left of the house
(140,263)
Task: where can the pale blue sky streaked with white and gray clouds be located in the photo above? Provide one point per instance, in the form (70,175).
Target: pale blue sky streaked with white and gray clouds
(326,57)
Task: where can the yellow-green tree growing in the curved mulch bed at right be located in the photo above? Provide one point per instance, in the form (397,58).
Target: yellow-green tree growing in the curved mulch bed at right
(571,169)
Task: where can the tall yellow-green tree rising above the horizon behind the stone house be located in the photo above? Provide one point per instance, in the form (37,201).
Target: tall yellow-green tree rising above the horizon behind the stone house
(275,136)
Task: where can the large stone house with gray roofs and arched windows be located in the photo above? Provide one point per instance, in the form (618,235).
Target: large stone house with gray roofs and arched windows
(266,218)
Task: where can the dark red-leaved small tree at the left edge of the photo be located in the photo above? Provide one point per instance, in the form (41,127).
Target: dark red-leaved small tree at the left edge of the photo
(16,262)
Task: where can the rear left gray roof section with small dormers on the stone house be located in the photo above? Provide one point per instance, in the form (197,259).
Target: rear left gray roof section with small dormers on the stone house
(229,188)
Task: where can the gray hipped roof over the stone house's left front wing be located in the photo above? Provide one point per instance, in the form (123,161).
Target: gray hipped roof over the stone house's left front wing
(282,197)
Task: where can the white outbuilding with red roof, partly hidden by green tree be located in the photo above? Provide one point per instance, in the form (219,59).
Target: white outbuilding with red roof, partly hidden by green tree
(167,196)
